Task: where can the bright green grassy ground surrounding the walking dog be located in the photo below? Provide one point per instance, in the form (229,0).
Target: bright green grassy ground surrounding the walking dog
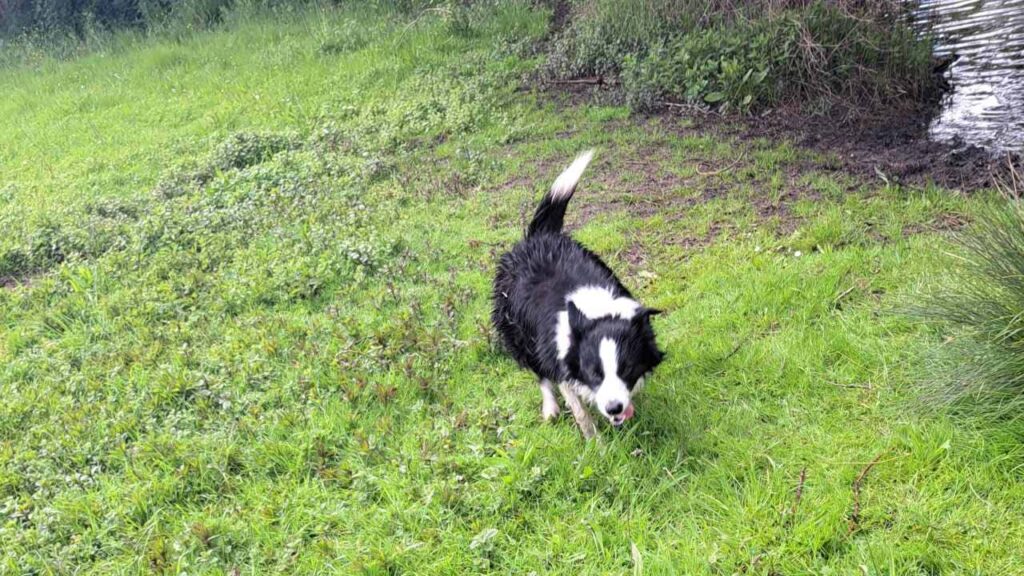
(270,353)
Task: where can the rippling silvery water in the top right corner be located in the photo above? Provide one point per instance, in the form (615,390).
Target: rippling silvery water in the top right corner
(986,107)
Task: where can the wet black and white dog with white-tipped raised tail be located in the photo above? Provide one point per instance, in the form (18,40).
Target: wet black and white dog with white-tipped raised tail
(563,313)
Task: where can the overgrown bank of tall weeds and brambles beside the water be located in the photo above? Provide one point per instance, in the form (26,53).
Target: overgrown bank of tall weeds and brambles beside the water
(751,55)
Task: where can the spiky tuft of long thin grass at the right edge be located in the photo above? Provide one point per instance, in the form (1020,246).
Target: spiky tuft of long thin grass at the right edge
(979,304)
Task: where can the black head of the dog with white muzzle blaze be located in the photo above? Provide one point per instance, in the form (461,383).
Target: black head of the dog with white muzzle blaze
(610,358)
